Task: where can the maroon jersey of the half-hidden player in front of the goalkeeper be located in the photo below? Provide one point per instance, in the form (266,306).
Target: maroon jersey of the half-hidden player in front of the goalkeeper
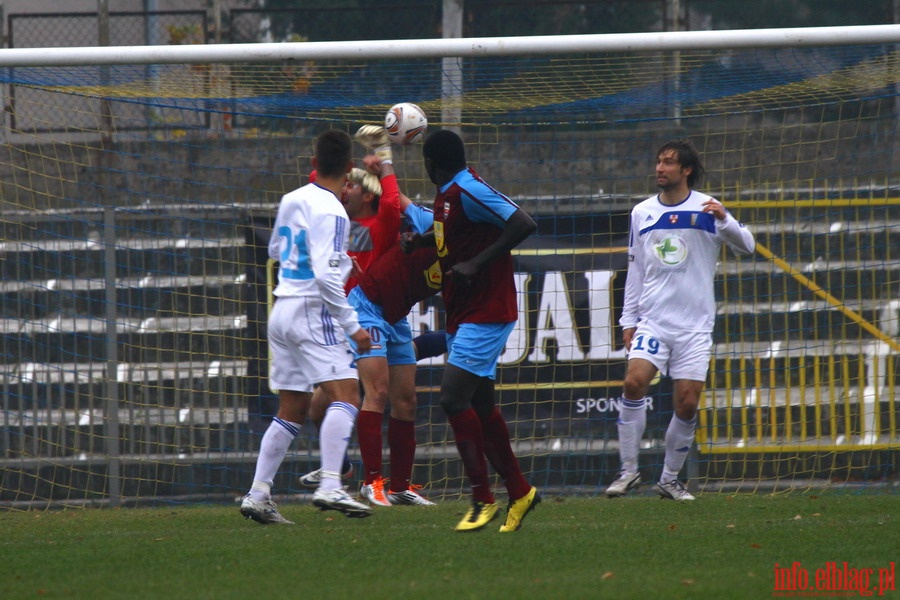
(396,282)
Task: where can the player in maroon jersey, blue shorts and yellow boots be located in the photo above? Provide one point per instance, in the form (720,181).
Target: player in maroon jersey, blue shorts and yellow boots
(474,230)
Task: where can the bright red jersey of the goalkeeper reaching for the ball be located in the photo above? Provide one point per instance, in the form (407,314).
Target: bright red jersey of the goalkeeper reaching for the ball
(373,236)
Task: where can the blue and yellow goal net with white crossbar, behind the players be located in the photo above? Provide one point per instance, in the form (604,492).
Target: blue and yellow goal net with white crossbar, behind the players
(138,185)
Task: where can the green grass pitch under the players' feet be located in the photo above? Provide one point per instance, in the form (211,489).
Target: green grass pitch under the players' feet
(720,546)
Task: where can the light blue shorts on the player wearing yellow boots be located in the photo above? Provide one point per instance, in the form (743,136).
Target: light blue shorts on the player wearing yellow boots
(476,347)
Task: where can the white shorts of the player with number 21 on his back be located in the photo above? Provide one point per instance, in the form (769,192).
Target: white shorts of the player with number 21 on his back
(306,346)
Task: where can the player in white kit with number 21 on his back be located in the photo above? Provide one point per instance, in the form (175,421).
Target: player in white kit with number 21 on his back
(308,331)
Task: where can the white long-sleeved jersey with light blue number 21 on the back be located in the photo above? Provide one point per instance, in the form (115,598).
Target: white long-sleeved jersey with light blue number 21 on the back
(309,239)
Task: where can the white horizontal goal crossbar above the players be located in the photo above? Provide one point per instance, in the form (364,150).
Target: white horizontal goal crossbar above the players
(451,47)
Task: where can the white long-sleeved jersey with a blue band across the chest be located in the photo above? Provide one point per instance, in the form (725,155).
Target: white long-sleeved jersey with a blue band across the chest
(672,254)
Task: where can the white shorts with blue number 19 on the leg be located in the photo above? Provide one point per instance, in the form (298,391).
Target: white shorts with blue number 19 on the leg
(681,355)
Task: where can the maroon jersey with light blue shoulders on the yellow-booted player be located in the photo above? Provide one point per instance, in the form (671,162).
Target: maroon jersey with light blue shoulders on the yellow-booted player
(468,217)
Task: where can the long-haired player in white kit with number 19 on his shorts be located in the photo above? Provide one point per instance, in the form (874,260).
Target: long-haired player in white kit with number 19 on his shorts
(670,308)
